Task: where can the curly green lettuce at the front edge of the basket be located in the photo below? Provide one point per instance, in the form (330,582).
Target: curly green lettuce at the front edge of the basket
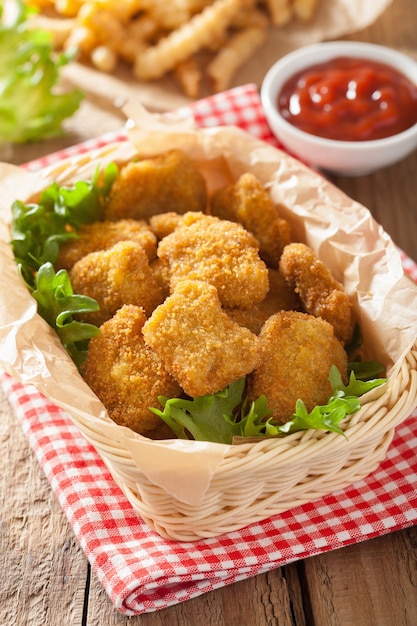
(221,416)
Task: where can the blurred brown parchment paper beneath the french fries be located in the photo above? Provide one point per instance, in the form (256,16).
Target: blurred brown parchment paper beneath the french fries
(334,18)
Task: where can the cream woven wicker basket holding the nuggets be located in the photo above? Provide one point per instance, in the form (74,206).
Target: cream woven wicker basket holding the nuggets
(257,479)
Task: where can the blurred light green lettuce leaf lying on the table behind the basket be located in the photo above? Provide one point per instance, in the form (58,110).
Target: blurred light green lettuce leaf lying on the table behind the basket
(32,105)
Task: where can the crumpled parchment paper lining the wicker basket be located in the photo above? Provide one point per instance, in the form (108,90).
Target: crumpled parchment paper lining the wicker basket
(341,231)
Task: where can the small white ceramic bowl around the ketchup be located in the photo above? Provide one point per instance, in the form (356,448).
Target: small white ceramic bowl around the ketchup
(348,158)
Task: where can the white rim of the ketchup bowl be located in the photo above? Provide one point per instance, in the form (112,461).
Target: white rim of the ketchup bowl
(327,50)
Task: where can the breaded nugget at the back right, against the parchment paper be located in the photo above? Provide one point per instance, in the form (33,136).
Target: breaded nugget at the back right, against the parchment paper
(248,203)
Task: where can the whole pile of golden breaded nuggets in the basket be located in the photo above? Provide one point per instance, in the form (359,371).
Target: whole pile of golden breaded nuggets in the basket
(197,291)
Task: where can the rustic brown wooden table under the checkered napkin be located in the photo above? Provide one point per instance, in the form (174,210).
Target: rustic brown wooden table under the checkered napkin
(45,579)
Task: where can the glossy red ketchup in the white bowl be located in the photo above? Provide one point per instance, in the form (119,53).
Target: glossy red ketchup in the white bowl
(349,99)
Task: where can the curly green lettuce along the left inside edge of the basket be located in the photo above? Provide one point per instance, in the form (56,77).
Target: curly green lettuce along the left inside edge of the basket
(38,229)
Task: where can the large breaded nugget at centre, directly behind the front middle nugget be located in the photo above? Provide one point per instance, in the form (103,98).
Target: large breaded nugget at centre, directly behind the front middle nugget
(218,252)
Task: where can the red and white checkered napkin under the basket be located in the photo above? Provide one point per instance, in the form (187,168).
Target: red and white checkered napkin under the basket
(143,572)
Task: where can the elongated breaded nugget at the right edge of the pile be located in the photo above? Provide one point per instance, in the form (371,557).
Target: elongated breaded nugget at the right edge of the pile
(320,294)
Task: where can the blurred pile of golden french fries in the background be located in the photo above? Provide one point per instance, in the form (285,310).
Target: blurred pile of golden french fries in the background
(159,37)
